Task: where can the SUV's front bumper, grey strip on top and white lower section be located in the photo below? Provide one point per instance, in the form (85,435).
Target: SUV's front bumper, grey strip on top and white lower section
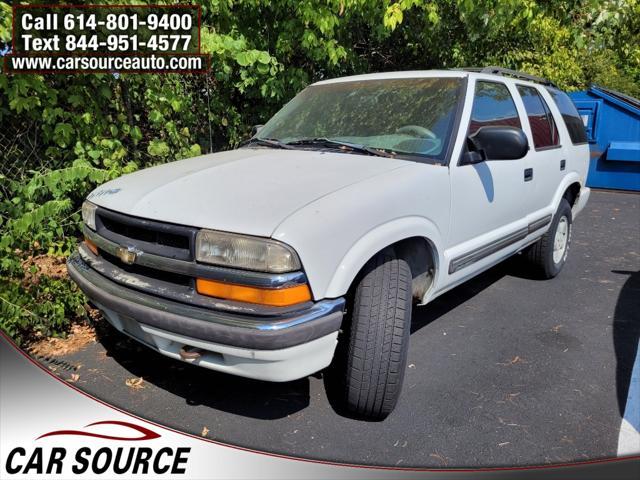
(276,348)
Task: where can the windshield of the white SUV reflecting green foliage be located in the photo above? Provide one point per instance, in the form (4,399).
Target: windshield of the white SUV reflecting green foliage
(412,116)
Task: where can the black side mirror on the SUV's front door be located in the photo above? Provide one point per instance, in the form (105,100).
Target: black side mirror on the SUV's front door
(496,143)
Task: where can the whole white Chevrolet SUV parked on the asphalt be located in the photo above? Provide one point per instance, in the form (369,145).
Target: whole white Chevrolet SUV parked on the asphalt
(308,245)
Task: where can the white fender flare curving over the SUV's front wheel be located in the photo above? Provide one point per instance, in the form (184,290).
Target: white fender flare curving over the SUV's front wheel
(376,240)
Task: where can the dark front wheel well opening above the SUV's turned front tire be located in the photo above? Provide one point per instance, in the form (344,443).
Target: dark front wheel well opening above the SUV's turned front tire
(421,256)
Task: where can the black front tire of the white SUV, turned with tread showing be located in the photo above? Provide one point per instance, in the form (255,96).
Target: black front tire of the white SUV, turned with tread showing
(376,339)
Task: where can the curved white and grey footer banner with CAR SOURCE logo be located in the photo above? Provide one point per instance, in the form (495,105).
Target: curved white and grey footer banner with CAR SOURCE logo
(51,429)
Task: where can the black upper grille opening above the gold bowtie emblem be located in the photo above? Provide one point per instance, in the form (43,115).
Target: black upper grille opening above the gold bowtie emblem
(163,239)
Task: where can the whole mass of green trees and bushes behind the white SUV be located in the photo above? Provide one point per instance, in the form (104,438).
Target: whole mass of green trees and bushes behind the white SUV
(62,135)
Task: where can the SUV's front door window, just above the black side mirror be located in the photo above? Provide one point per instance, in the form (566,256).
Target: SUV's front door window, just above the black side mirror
(492,106)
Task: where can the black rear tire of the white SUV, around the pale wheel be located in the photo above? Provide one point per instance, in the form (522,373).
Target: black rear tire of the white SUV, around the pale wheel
(541,254)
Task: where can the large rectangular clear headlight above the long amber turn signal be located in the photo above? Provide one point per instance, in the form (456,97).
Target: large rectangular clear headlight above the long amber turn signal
(249,253)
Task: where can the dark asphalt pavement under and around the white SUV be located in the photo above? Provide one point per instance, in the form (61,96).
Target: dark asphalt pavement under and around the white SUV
(503,370)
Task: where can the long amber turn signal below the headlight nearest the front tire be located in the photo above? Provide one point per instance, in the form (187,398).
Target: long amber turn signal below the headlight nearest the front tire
(281,297)
